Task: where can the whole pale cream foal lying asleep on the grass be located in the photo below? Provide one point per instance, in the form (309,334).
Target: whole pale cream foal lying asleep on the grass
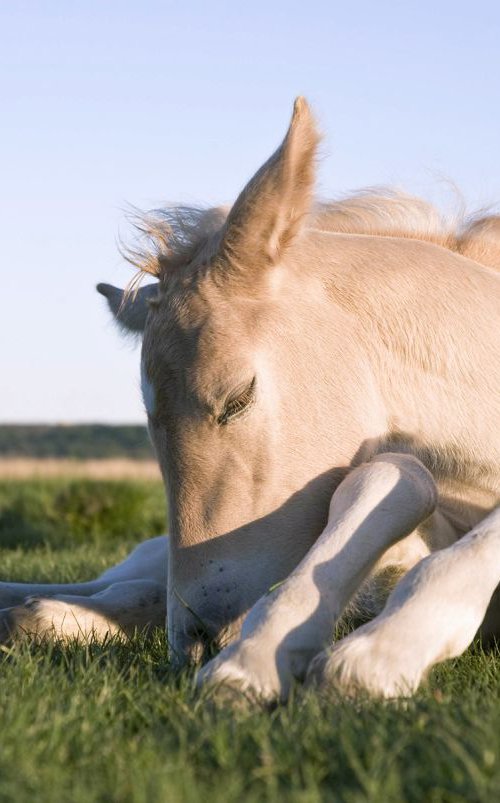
(293,350)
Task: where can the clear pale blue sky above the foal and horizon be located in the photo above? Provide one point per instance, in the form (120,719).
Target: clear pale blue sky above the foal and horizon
(106,104)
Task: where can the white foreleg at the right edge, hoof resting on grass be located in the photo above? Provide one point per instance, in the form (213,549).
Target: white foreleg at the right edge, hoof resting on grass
(432,614)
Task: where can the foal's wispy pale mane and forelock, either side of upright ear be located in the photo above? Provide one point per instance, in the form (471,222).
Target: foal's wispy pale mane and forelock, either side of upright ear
(169,238)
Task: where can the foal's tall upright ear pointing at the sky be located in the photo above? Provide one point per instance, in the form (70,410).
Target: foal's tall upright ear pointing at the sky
(269,212)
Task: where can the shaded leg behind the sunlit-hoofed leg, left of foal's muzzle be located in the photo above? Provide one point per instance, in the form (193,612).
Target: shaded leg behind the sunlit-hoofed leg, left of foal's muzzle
(146,561)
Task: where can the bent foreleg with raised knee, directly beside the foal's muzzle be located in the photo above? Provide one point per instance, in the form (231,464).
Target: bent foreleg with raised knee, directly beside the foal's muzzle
(375,506)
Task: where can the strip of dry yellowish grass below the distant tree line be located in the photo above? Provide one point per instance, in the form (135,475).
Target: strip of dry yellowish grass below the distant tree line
(112,469)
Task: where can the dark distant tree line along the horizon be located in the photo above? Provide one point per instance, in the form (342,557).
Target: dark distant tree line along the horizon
(81,441)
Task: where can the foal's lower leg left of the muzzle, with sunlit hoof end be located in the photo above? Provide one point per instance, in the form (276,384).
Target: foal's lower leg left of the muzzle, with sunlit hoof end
(120,610)
